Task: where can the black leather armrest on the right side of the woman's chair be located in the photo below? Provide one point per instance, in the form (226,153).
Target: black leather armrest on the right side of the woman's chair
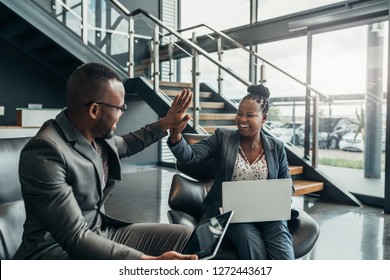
(305,231)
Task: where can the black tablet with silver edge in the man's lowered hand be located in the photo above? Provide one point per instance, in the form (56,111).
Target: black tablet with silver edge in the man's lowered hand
(207,236)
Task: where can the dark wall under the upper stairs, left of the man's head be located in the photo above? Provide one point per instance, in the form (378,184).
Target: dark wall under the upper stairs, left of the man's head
(24,81)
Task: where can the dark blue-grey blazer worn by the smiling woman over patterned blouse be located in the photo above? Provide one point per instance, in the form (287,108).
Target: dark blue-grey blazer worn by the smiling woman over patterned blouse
(223,146)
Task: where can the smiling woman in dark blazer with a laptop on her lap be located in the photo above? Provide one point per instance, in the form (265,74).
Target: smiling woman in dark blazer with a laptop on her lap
(243,154)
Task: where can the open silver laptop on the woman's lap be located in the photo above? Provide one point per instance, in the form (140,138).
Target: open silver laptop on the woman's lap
(257,200)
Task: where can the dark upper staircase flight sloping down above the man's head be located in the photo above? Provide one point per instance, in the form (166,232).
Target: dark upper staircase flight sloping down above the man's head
(34,32)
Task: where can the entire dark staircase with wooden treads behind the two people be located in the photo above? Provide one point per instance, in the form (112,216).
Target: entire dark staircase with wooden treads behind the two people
(44,39)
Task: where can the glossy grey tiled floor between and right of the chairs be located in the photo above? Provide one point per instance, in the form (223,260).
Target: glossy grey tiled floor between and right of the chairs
(347,232)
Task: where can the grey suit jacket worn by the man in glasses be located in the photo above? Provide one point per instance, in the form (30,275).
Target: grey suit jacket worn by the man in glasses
(61,178)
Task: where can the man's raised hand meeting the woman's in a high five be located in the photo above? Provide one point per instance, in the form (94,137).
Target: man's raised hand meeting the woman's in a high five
(176,119)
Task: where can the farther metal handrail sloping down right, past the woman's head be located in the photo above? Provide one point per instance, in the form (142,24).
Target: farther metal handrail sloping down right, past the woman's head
(237,44)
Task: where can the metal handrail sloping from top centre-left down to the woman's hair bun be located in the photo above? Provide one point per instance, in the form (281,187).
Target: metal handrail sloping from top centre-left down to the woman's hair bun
(186,41)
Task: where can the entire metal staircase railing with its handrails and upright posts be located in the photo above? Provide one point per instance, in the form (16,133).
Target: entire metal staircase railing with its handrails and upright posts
(80,12)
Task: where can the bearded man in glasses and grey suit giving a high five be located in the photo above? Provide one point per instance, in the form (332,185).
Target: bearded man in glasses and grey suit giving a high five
(69,167)
